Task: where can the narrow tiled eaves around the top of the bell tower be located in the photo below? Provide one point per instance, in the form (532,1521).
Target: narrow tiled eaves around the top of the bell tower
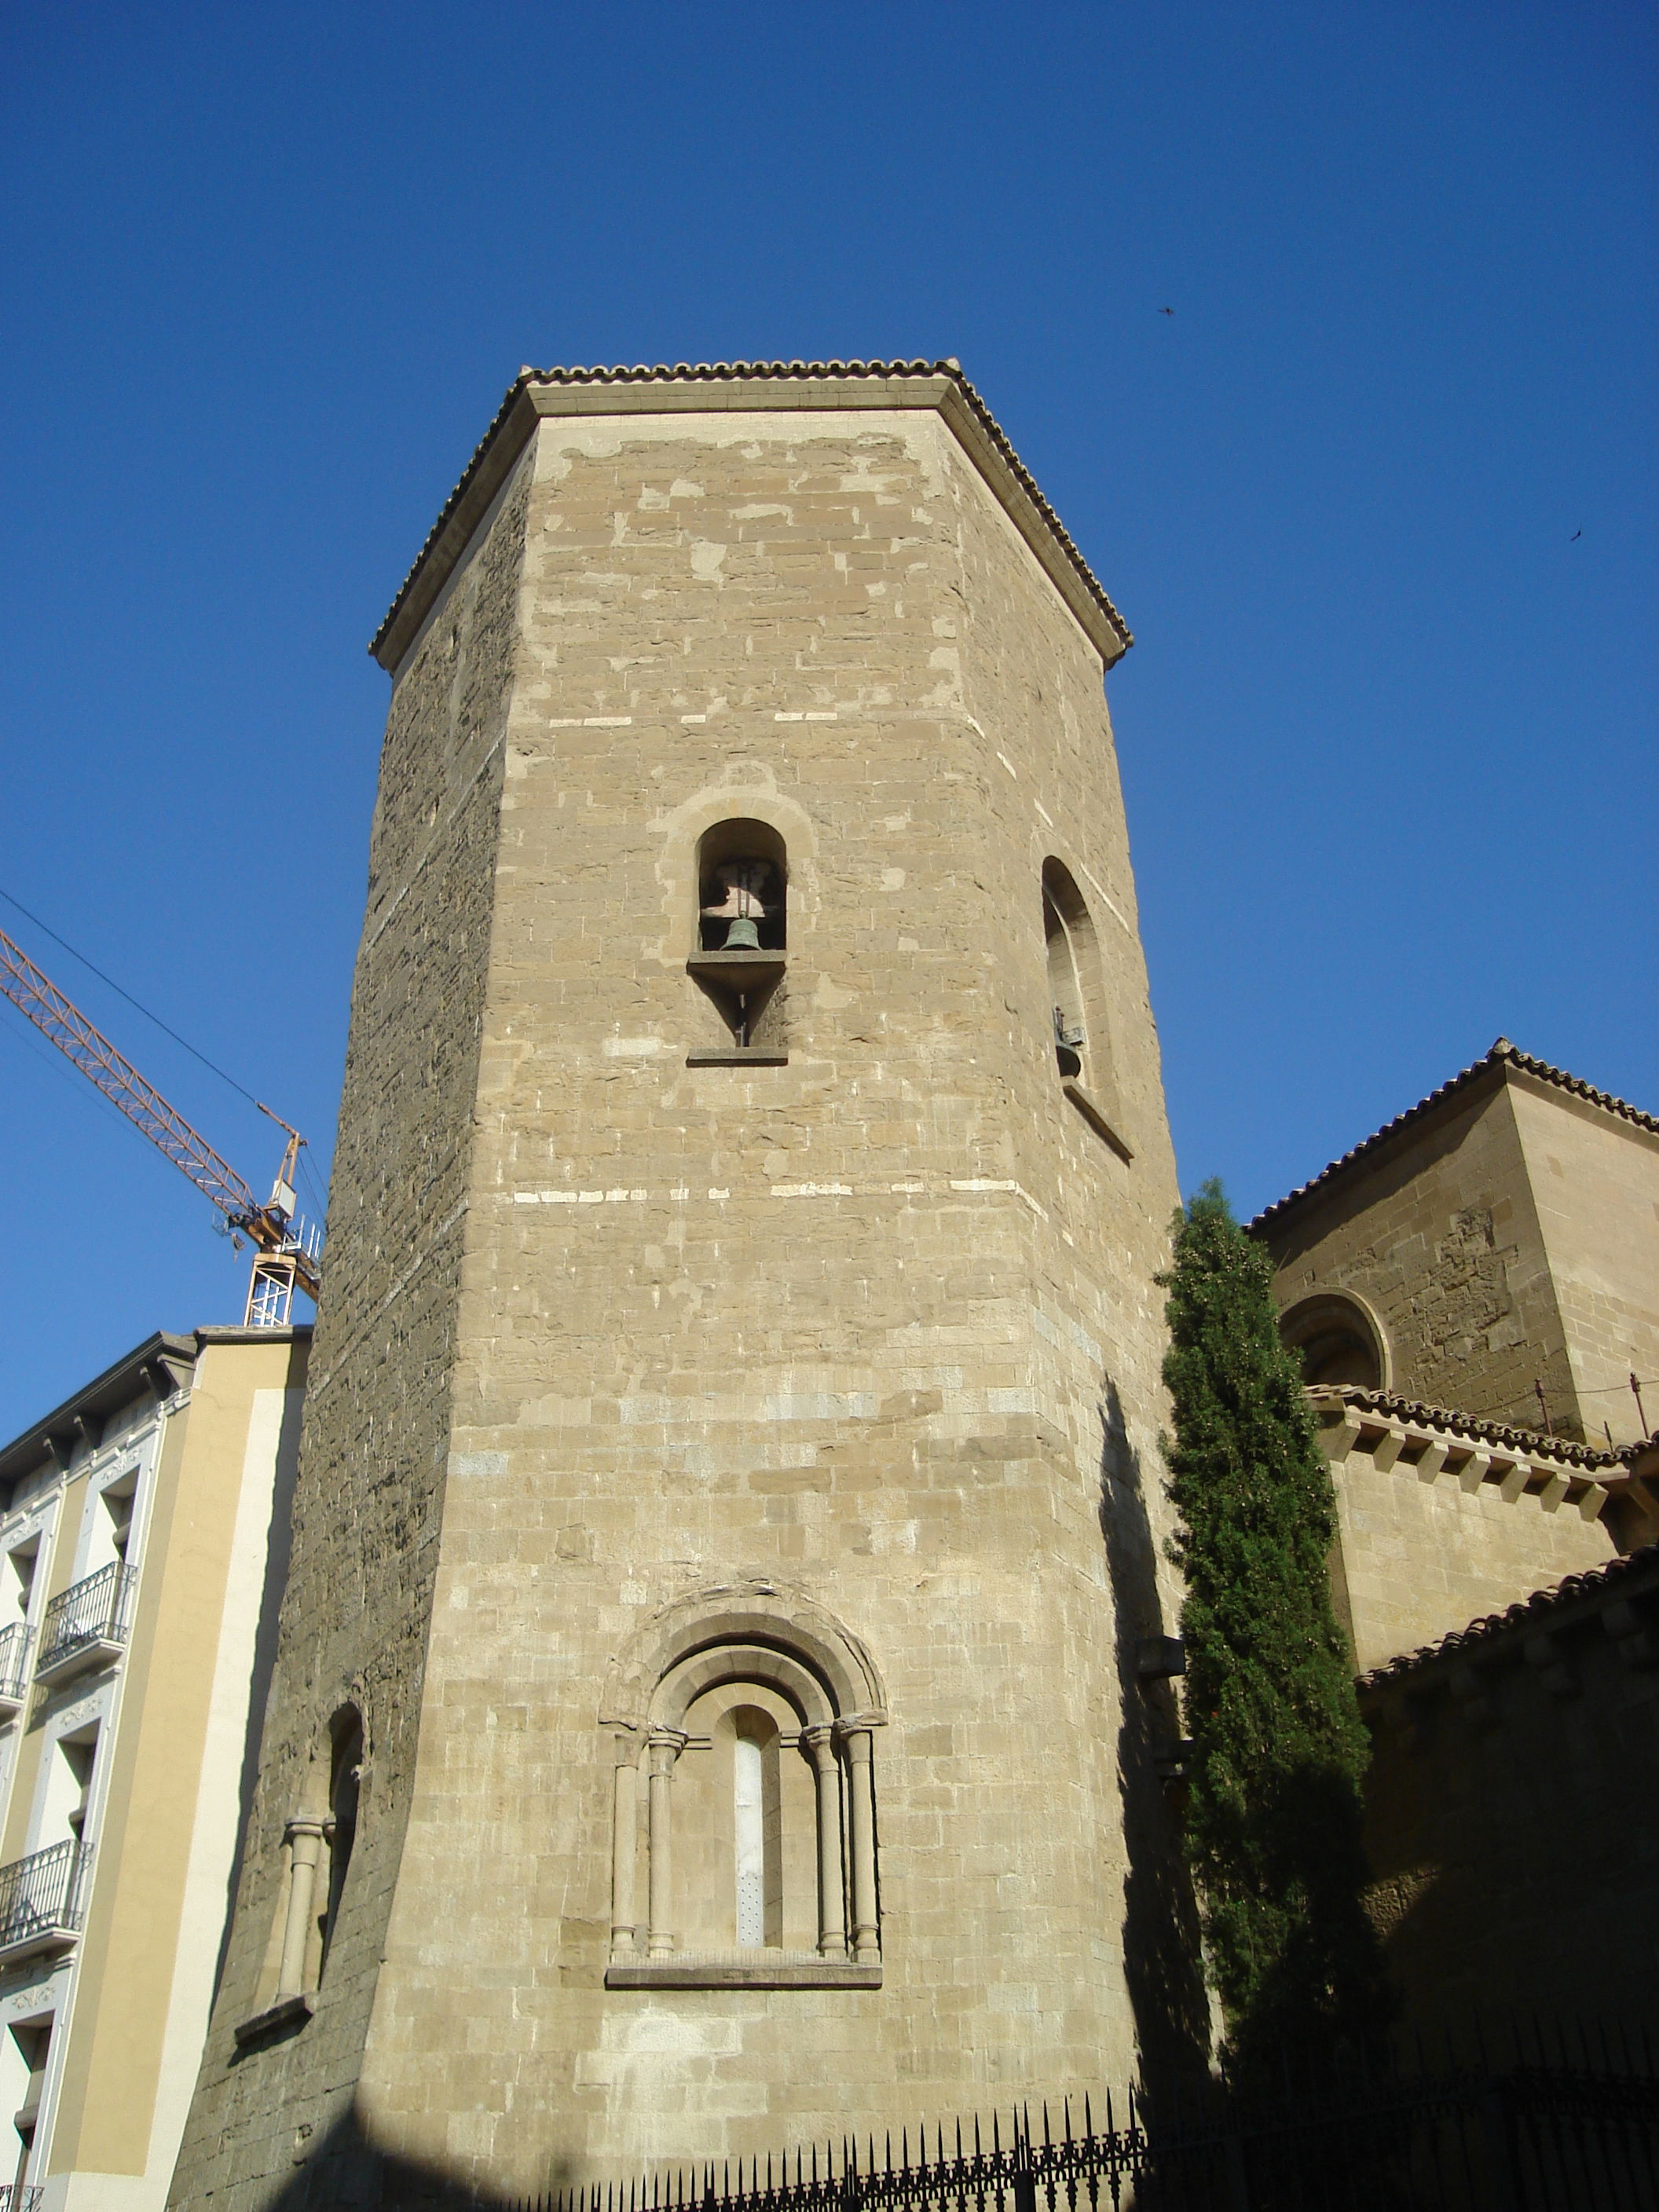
(680,375)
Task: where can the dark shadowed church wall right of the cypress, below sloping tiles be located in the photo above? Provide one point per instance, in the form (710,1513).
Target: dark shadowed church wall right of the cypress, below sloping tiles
(1510,1815)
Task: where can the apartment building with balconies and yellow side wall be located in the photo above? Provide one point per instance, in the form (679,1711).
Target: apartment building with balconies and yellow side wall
(143,1554)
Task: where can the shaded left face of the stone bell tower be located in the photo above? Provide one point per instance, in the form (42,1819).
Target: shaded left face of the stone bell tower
(377,1419)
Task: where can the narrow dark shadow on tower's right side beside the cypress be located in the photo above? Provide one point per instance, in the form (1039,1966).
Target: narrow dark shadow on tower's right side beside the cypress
(1162,1959)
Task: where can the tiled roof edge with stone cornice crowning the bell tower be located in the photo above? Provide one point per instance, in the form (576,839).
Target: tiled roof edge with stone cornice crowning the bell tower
(735,386)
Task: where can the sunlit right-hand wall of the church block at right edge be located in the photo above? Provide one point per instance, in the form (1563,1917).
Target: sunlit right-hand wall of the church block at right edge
(1596,1187)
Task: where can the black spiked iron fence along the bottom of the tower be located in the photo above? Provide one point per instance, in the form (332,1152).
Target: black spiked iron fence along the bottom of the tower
(1554,2125)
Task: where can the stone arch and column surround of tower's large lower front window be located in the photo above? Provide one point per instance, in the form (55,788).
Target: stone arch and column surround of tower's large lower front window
(758,1642)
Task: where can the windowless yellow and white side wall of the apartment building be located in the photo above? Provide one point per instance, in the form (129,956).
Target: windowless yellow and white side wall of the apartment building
(171,1811)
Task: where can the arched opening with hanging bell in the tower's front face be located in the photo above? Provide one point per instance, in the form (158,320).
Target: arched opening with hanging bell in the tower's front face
(742,932)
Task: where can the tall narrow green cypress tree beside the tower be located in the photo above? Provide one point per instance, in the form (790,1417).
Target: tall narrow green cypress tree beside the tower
(1277,1738)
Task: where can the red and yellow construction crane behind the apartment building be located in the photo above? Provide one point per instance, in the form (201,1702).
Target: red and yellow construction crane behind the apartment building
(286,1249)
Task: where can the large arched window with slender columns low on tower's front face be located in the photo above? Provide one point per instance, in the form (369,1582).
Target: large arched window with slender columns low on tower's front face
(744,1815)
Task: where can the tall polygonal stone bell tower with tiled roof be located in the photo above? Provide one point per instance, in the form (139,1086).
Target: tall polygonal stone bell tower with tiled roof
(700,1702)
